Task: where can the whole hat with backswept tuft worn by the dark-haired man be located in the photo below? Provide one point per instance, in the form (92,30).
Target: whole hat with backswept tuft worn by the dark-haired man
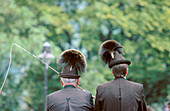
(111,52)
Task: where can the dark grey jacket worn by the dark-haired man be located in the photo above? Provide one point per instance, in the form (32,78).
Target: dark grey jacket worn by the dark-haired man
(120,95)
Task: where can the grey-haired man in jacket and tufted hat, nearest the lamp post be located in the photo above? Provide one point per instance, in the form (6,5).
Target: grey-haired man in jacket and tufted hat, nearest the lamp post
(70,98)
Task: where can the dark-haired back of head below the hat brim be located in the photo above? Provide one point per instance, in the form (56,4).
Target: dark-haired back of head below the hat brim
(119,70)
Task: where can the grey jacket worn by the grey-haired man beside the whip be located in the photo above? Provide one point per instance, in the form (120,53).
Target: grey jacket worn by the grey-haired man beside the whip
(69,99)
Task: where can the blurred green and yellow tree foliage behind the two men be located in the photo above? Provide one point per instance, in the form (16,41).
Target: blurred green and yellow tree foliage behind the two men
(141,26)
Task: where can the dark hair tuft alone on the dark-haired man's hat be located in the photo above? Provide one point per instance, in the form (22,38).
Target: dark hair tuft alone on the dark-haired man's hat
(107,50)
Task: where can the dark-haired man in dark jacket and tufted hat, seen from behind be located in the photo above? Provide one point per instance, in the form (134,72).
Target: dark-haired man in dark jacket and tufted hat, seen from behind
(118,94)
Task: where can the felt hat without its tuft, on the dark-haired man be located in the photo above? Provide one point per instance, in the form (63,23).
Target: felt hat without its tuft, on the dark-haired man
(118,59)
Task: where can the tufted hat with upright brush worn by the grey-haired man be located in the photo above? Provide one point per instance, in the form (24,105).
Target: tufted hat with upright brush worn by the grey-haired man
(74,62)
